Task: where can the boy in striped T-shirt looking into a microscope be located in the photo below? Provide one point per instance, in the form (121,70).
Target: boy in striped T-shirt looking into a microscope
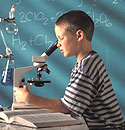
(89,93)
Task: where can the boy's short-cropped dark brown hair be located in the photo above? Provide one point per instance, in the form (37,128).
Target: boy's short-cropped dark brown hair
(76,20)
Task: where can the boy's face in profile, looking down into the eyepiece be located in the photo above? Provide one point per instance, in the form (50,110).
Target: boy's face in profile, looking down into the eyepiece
(66,41)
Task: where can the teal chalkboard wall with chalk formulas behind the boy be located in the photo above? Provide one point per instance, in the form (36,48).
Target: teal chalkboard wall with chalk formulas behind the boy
(36,18)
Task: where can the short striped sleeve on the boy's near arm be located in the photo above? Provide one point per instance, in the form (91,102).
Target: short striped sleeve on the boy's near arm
(79,93)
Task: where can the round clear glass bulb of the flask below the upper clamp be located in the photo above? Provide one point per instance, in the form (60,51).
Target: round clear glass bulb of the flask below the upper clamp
(11,28)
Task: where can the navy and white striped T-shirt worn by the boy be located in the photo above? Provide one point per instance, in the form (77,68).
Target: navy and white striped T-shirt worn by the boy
(90,94)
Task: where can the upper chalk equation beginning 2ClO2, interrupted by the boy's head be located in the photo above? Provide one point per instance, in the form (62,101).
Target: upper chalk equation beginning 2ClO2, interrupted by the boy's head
(41,16)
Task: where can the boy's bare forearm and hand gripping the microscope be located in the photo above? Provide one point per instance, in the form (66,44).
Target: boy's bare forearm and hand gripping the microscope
(53,105)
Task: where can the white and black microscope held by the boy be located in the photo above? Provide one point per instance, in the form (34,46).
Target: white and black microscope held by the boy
(39,62)
